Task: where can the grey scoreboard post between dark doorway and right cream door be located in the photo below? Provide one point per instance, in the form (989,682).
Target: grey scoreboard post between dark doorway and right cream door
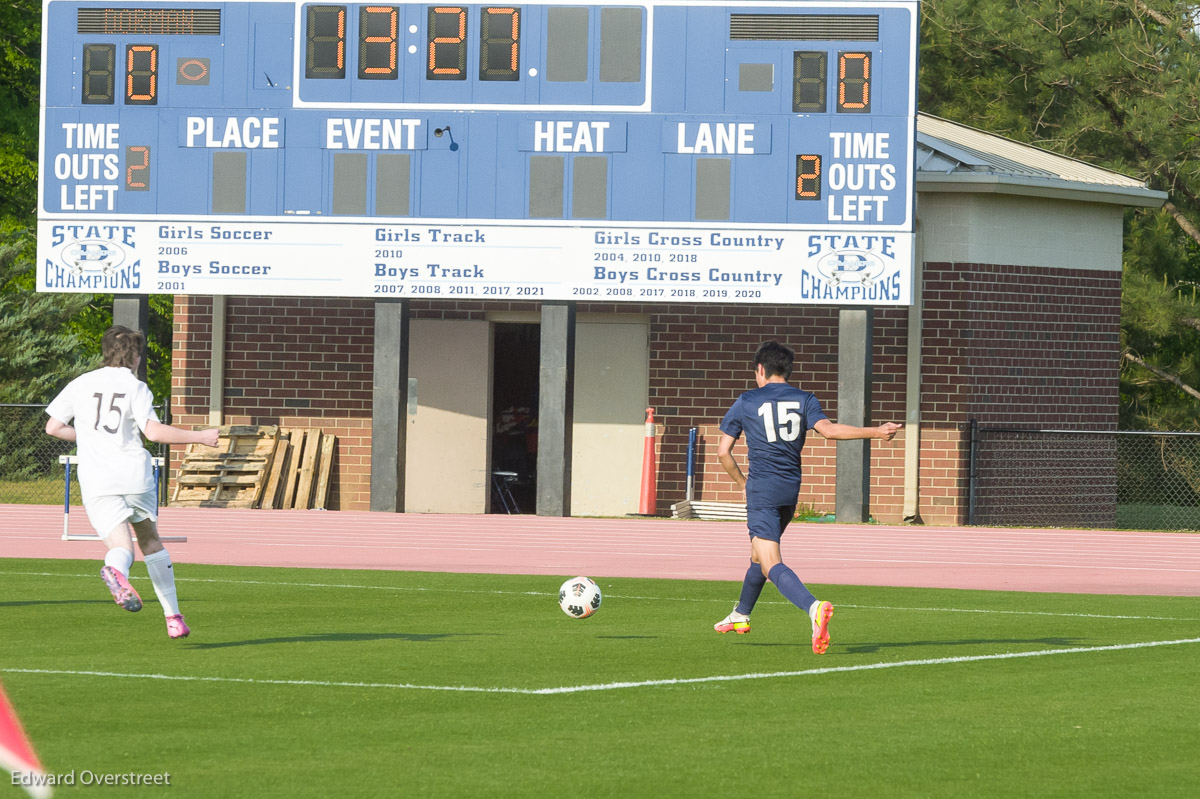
(556,401)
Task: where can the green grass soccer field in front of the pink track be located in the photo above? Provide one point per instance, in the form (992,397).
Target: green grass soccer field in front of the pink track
(322,683)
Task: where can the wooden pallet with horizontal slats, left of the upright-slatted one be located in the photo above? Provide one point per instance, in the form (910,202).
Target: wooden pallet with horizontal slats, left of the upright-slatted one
(231,476)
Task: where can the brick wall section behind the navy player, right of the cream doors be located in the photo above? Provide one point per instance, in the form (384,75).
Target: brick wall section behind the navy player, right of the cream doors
(701,362)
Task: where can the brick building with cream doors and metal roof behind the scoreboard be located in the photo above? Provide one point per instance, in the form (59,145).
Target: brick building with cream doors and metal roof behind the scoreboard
(1018,323)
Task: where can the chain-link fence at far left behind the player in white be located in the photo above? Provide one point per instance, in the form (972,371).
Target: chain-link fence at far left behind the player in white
(31,473)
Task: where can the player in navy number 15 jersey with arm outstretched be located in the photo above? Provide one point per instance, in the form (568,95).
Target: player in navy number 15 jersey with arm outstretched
(776,418)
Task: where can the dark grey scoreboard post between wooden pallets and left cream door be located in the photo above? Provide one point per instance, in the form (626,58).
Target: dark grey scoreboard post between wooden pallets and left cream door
(389,406)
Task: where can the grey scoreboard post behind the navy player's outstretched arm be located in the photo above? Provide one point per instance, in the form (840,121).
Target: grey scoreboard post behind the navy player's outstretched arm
(854,479)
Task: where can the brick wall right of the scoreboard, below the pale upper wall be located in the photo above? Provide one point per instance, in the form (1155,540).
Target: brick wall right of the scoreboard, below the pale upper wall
(1017,347)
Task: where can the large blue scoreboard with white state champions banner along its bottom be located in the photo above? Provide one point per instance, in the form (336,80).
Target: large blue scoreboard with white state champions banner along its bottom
(664,151)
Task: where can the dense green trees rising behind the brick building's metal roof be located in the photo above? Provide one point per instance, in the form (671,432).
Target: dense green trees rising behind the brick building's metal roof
(1117,85)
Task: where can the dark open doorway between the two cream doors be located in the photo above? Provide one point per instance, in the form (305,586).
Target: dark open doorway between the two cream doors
(515,418)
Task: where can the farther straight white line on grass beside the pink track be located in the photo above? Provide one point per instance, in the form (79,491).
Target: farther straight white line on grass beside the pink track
(608,596)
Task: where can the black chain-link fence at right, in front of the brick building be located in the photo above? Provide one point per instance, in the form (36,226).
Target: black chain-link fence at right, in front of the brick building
(1047,478)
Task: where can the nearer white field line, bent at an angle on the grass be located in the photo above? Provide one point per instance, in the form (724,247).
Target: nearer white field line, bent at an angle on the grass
(615,687)
